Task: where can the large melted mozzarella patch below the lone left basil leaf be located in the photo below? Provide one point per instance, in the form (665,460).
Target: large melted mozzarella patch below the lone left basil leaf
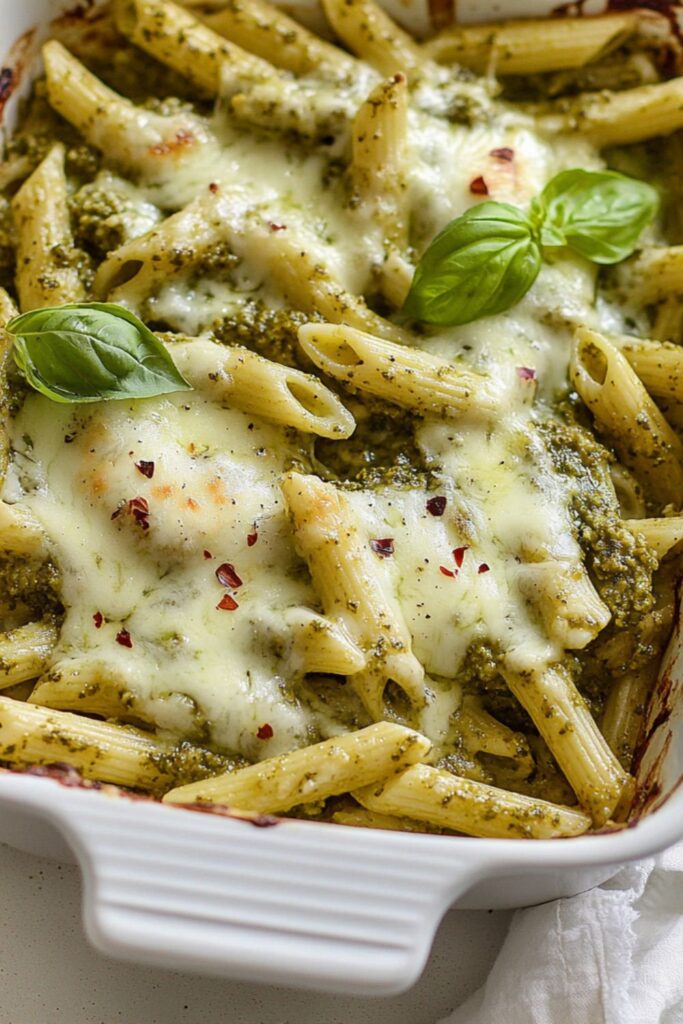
(216,483)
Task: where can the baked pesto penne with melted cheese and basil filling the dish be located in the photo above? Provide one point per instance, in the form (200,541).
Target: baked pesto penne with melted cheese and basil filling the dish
(341,412)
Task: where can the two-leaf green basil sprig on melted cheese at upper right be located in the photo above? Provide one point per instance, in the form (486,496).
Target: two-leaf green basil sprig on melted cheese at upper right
(487,261)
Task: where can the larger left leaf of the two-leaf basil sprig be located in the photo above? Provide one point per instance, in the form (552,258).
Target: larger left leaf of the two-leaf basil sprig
(481,265)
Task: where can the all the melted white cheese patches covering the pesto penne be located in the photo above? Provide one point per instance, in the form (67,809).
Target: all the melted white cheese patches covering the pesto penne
(201,671)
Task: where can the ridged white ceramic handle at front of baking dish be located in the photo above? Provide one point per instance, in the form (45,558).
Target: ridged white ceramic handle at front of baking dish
(309,906)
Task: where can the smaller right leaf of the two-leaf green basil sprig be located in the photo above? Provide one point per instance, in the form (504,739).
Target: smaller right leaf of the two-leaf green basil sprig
(601,215)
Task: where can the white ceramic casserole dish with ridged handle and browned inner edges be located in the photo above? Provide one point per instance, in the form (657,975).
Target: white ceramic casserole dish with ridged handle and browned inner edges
(305,904)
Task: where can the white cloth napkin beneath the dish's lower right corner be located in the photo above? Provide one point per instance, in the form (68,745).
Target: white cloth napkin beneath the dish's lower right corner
(612,956)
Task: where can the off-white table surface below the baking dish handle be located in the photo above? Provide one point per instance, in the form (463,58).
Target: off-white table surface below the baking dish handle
(51,975)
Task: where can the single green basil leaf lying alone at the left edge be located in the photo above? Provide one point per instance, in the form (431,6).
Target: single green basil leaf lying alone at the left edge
(93,352)
